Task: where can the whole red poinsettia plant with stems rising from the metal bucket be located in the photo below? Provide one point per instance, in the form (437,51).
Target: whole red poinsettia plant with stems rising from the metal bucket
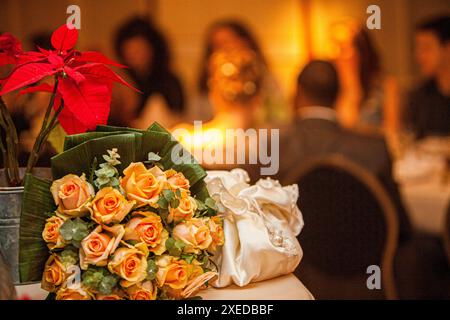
(80,91)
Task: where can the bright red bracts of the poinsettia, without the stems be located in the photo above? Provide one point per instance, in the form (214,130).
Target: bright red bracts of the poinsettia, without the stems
(84,78)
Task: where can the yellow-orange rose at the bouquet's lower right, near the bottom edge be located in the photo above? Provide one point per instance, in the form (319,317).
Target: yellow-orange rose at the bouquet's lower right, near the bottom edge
(172,272)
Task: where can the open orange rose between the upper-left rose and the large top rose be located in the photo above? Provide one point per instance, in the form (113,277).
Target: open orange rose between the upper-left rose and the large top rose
(110,206)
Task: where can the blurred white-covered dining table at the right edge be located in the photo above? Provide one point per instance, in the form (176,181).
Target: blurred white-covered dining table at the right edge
(423,175)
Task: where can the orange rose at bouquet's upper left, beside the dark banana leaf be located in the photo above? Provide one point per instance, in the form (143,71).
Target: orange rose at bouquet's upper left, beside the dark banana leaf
(72,194)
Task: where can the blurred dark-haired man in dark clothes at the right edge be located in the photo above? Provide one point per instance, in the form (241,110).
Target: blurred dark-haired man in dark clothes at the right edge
(428,108)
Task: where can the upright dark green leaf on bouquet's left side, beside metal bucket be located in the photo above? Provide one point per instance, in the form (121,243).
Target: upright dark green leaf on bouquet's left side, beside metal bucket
(33,252)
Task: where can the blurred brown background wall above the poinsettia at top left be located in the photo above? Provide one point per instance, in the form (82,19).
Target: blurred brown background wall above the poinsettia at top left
(99,18)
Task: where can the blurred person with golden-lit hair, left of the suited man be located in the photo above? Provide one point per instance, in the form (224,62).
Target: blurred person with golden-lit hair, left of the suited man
(234,90)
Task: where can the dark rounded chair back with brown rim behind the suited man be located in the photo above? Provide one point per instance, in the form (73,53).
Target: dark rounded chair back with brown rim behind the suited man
(350,224)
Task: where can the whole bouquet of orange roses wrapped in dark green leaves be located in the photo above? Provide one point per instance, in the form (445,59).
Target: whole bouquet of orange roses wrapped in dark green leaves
(136,230)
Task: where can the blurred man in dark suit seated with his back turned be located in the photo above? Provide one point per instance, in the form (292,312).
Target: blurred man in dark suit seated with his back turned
(317,133)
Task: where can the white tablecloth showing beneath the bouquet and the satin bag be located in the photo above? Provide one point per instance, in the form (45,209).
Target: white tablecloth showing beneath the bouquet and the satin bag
(282,288)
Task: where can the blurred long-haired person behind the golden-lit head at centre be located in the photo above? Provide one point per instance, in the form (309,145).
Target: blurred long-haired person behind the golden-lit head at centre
(230,35)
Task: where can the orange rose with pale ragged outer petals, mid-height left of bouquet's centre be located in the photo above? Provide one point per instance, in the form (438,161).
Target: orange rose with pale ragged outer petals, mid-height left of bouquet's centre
(98,246)
